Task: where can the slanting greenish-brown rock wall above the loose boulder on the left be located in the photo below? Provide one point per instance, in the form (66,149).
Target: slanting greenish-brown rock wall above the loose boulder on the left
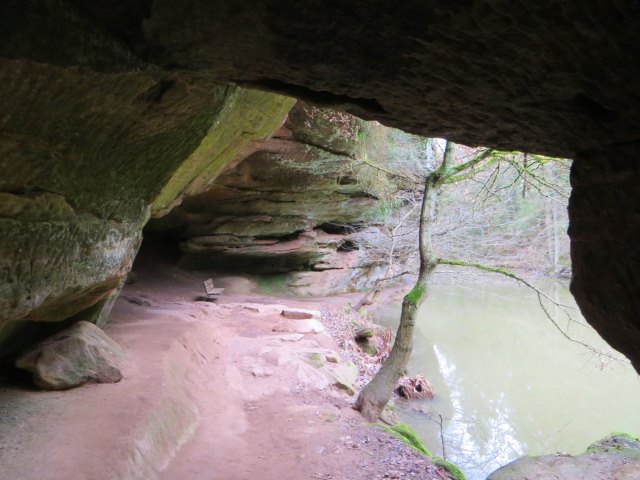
(82,180)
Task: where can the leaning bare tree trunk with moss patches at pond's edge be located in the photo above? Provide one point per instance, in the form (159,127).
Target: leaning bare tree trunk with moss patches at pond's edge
(377,393)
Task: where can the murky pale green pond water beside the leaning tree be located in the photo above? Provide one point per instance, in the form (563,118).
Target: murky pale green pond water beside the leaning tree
(507,383)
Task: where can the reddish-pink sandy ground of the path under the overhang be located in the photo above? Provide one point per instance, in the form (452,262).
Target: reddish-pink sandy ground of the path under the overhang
(209,392)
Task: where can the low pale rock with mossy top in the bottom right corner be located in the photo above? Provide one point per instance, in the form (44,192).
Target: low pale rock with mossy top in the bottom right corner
(613,458)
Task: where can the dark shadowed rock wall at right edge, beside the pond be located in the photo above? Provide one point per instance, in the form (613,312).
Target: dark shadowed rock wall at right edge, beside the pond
(604,231)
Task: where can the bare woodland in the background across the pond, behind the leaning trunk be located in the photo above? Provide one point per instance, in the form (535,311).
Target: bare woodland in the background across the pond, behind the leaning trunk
(509,212)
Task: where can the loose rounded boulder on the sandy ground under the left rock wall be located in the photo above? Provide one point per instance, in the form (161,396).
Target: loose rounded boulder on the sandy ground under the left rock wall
(79,354)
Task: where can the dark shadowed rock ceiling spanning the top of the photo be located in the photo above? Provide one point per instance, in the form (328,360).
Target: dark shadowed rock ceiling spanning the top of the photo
(552,77)
